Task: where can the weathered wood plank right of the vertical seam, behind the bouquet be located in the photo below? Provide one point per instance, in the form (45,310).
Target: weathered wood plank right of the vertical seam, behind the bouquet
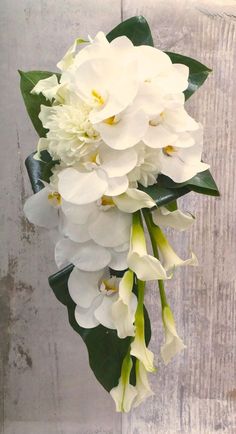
(196,393)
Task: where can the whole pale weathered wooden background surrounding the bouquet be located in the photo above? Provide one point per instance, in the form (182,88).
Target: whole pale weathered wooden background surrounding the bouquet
(47,387)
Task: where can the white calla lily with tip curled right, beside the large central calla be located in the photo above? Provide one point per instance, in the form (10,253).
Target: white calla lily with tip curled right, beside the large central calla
(169,259)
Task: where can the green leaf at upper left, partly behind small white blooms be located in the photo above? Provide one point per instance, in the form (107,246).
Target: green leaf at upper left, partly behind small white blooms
(33,102)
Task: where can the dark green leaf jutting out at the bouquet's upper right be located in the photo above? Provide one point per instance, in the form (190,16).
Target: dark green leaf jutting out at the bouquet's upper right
(198,72)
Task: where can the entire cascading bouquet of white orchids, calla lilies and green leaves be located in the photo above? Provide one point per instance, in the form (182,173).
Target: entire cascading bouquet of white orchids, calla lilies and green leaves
(116,149)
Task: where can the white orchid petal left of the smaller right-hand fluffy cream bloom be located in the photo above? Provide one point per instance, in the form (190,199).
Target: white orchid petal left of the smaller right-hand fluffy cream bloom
(116,163)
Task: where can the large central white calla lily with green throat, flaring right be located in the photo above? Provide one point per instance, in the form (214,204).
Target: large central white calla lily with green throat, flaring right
(145,266)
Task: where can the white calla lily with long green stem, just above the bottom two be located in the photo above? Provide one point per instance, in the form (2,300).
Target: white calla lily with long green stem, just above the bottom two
(138,346)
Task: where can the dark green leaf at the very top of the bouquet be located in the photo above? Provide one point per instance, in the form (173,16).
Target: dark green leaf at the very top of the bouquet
(135,28)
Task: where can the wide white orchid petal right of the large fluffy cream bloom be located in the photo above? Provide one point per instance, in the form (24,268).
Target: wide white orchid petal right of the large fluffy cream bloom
(126,132)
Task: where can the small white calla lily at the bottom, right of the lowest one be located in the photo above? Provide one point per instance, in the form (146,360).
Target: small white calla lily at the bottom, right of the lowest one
(142,385)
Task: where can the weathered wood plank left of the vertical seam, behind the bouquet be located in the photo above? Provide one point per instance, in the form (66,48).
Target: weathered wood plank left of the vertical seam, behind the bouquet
(47,385)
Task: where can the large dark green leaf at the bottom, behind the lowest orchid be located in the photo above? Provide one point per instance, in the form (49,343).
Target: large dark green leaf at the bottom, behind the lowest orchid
(106,351)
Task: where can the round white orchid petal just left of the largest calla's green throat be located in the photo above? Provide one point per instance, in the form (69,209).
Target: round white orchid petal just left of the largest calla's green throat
(111,228)
